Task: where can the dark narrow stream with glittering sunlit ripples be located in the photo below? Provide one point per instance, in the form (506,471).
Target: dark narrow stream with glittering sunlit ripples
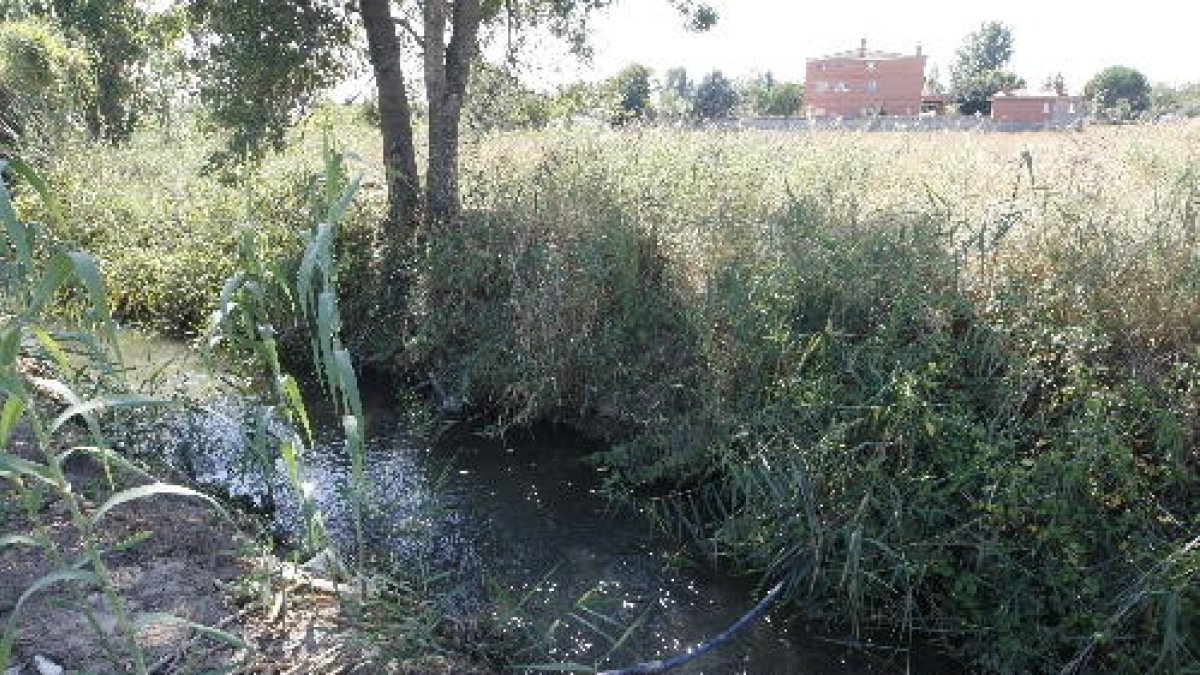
(518,525)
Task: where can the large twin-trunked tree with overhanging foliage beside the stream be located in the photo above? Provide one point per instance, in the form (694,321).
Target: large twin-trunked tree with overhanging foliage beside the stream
(445,33)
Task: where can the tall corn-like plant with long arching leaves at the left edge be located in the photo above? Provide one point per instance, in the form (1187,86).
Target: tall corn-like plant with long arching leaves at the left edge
(46,278)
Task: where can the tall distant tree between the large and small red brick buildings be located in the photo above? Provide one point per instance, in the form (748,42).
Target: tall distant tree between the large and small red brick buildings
(979,71)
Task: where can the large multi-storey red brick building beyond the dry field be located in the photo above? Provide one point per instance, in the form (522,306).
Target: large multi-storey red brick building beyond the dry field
(863,82)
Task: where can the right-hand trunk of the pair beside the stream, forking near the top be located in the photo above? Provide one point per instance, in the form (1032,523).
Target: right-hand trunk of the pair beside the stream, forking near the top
(447,74)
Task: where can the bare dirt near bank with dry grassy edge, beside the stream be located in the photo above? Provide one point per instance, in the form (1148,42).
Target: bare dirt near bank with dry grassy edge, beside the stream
(181,557)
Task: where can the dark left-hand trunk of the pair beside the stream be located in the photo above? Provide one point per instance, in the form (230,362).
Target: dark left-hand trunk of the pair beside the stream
(395,123)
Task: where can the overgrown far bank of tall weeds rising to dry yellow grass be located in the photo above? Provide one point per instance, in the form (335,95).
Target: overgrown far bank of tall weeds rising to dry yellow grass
(950,385)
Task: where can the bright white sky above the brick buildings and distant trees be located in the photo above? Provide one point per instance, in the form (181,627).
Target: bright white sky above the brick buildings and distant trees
(1075,38)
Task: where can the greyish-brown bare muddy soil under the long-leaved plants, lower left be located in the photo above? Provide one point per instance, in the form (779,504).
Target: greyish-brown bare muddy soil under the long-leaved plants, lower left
(194,564)
